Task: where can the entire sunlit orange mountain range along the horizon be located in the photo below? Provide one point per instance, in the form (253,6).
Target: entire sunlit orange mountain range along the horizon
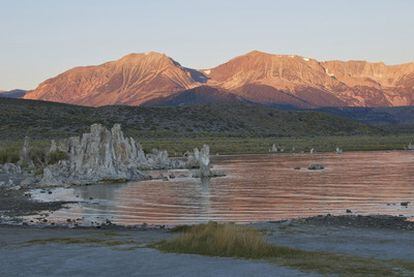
(289,80)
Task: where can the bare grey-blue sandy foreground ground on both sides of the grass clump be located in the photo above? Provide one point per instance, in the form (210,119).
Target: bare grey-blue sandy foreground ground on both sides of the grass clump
(31,251)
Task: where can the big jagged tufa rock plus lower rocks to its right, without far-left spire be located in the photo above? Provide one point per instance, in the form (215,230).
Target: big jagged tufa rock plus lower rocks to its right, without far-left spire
(106,154)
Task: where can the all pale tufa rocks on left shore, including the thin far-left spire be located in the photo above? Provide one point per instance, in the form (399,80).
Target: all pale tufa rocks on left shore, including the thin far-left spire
(102,155)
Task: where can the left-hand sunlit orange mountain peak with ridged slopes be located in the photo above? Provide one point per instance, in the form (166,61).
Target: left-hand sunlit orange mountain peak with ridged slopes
(131,80)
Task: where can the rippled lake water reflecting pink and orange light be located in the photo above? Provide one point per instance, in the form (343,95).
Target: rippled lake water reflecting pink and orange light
(256,188)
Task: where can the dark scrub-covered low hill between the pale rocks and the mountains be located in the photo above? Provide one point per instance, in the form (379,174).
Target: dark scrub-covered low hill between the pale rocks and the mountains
(39,119)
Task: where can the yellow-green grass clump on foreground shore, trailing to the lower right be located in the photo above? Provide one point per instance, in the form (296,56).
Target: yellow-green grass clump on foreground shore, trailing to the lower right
(230,240)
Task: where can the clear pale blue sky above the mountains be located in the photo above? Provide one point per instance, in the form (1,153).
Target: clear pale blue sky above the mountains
(42,38)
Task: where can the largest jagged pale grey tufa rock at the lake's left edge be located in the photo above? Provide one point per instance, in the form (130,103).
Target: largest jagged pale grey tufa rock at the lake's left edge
(96,156)
